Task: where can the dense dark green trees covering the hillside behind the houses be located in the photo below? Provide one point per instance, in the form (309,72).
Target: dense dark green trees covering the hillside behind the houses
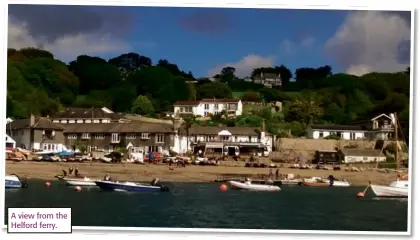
(40,84)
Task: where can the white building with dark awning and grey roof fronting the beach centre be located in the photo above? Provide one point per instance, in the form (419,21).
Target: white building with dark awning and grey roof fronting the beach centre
(243,140)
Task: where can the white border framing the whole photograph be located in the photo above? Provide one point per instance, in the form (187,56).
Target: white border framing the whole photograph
(296,4)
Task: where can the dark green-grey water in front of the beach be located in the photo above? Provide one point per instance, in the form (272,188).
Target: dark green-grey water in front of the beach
(205,206)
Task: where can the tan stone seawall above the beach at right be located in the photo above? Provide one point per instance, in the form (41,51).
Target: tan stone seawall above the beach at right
(288,149)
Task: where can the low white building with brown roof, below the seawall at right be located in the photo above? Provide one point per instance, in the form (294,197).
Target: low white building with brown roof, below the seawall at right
(350,155)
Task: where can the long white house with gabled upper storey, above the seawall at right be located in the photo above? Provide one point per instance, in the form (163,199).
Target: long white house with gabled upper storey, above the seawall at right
(376,128)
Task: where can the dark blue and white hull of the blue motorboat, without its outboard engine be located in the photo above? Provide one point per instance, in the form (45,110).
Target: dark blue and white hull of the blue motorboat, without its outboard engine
(115,186)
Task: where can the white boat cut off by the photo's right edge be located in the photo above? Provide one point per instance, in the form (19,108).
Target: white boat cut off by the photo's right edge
(397,189)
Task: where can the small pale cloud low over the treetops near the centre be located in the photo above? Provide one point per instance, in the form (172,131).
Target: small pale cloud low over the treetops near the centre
(245,65)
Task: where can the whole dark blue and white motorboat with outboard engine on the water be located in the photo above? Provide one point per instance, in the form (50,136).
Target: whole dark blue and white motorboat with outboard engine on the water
(110,185)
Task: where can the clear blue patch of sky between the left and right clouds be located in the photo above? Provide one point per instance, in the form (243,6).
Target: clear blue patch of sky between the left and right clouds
(198,44)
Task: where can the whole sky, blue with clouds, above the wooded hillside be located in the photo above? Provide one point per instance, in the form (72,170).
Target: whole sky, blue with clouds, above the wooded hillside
(204,40)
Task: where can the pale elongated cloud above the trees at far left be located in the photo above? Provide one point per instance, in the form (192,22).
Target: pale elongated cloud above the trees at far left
(67,47)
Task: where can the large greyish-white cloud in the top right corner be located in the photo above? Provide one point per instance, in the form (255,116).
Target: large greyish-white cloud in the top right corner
(370,41)
